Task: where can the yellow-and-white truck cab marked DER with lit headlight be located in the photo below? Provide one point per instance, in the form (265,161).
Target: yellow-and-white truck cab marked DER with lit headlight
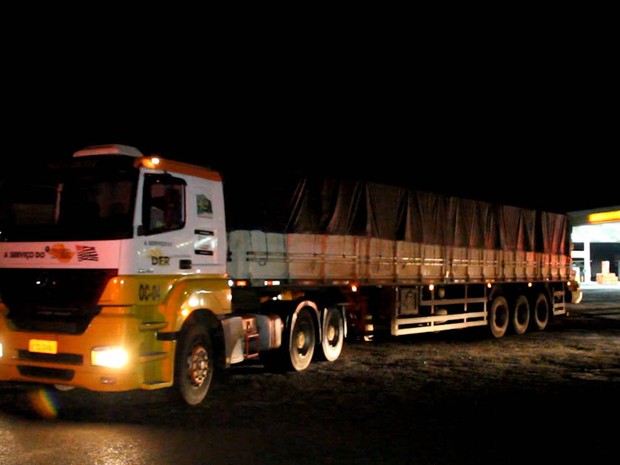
(105,260)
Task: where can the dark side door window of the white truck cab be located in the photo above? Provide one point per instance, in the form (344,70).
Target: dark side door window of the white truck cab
(164,203)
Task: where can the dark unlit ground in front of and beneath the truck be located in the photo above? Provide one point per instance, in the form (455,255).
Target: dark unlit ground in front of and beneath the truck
(446,398)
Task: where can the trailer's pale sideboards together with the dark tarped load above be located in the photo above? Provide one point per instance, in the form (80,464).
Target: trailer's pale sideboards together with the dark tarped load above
(342,230)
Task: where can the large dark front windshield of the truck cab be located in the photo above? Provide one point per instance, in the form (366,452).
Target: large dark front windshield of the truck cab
(85,199)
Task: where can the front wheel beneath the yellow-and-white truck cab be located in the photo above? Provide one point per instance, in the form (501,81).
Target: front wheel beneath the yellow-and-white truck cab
(194,365)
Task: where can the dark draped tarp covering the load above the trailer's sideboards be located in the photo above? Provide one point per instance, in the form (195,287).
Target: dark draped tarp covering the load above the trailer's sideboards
(362,208)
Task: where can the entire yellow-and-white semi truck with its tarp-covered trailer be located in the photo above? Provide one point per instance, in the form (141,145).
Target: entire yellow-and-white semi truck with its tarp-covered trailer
(120,271)
